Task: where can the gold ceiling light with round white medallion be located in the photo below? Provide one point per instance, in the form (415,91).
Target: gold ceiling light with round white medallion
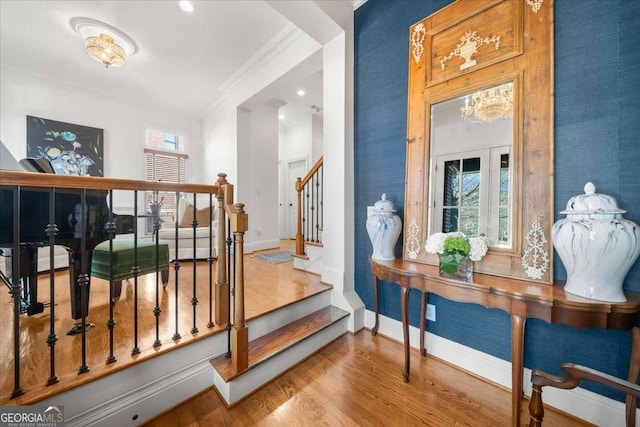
(104,43)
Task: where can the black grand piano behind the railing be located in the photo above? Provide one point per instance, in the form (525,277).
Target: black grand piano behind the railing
(80,227)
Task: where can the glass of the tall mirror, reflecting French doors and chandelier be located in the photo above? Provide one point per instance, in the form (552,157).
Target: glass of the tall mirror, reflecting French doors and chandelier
(471,153)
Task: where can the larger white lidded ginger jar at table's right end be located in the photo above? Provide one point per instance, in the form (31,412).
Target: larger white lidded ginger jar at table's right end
(596,245)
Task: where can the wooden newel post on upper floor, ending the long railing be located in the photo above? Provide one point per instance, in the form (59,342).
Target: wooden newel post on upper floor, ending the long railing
(222,282)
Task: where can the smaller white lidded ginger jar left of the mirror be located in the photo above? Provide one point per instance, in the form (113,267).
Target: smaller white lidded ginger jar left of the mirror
(384,228)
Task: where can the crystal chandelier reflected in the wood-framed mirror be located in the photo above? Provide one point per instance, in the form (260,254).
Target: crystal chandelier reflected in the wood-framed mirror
(489,105)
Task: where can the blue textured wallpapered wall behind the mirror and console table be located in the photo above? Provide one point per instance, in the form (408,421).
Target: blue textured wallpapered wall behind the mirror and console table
(597,138)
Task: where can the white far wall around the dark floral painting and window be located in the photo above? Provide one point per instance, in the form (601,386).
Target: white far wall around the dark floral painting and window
(124,125)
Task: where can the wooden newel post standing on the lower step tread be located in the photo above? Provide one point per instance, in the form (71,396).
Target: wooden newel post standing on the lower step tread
(240,331)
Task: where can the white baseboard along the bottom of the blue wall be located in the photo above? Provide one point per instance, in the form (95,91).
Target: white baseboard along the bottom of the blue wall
(584,404)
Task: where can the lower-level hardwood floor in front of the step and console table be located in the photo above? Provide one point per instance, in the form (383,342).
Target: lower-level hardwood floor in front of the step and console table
(357,381)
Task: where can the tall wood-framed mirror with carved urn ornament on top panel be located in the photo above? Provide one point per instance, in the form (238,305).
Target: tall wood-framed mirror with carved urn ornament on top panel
(480,133)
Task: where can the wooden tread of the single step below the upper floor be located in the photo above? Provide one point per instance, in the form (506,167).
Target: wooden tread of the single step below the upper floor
(273,343)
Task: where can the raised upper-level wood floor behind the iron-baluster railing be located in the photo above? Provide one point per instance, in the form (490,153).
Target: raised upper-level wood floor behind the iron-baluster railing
(267,287)
